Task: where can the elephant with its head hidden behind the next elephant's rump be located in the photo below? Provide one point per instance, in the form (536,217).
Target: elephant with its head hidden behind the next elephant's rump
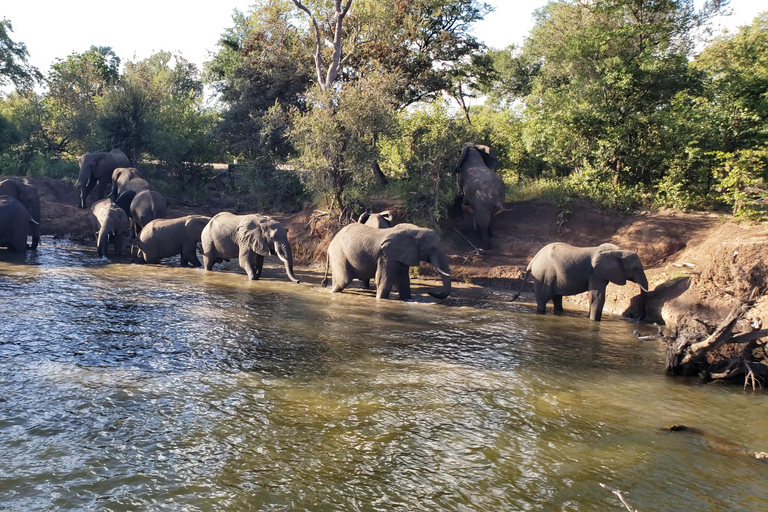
(163,238)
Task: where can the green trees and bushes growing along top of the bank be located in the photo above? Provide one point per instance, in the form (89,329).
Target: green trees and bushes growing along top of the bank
(617,102)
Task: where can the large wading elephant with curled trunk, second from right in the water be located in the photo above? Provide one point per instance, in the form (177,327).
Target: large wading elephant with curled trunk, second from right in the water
(362,252)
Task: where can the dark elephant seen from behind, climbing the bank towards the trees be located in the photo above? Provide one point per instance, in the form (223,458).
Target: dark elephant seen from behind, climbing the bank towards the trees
(480,187)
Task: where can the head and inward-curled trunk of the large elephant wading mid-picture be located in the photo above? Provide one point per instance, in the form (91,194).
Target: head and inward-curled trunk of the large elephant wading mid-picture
(410,244)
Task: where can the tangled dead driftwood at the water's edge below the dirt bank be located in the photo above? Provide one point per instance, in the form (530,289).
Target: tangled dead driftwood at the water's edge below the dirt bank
(691,353)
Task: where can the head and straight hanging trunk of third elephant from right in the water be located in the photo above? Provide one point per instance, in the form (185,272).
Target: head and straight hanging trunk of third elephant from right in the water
(264,236)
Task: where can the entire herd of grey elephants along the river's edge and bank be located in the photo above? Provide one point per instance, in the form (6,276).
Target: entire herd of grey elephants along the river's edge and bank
(372,248)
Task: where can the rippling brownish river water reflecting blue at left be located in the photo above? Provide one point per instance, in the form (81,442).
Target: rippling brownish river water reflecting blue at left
(126,387)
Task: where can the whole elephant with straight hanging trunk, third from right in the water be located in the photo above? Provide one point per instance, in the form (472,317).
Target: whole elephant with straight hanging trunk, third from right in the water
(248,238)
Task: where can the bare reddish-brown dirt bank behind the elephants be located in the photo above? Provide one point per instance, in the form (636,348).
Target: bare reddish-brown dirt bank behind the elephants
(697,264)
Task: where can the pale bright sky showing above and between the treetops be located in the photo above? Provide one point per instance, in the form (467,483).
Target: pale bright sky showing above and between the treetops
(138,28)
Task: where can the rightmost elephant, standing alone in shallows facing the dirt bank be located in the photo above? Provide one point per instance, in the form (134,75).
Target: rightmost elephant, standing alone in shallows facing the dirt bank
(560,269)
